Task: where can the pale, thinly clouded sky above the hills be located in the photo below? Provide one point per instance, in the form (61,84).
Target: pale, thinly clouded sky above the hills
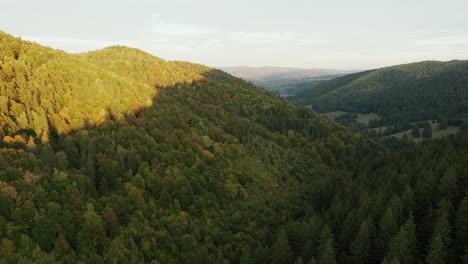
(331,34)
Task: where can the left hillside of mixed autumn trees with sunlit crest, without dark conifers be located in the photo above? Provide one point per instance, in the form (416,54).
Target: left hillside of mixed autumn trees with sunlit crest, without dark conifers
(121,156)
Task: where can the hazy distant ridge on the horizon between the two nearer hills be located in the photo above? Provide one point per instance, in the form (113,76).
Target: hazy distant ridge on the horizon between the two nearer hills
(278,73)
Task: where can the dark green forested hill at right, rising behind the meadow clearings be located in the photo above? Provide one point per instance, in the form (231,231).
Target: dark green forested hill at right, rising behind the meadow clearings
(402,93)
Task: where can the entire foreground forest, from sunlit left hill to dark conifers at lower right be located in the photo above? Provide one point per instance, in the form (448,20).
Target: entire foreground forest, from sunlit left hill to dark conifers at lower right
(117,156)
